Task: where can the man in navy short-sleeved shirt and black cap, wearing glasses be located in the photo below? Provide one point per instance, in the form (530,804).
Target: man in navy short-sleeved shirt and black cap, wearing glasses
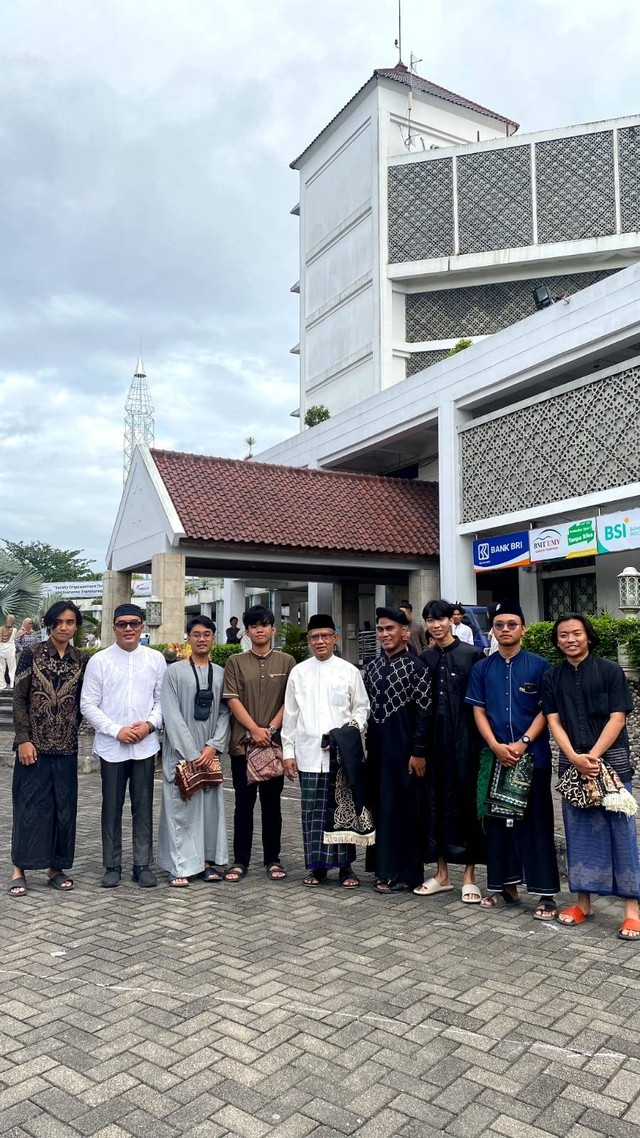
(505,692)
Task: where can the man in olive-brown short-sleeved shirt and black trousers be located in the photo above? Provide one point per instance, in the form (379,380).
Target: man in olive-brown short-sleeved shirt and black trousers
(255,689)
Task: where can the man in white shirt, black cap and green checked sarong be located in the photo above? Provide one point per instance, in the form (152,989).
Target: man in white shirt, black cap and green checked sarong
(323,694)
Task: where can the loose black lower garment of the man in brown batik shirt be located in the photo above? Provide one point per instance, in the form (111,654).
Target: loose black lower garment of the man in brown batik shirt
(45,809)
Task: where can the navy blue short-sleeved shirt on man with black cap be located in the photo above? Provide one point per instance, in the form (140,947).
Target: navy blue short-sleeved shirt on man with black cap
(511,692)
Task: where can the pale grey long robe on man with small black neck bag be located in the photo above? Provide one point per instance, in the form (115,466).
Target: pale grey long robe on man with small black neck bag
(191,834)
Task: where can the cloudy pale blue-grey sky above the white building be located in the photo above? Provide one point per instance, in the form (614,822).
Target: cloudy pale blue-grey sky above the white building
(145,192)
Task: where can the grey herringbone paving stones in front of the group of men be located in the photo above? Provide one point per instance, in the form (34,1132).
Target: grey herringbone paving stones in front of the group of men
(267,1009)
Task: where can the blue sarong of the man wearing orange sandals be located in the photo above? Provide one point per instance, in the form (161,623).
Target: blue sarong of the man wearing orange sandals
(602,852)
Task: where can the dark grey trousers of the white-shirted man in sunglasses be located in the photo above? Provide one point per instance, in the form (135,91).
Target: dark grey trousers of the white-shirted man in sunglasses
(140,774)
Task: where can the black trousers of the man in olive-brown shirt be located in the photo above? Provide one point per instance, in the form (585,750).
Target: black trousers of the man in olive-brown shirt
(247,795)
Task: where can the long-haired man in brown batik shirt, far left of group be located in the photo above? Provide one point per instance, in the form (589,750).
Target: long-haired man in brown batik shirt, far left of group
(46,720)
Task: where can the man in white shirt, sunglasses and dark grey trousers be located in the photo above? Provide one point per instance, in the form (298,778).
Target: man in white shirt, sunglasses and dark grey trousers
(121,699)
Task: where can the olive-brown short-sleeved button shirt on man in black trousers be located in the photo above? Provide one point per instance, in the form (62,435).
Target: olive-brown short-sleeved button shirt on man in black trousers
(259,683)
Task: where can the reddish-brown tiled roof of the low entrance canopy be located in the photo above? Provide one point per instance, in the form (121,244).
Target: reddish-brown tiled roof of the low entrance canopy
(236,502)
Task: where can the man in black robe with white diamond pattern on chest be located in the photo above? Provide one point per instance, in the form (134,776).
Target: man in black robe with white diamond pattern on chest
(399,690)
